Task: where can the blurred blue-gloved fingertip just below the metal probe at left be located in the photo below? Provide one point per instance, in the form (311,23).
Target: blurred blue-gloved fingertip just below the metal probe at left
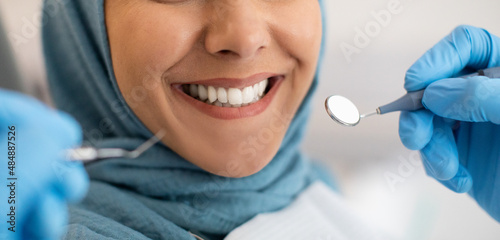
(71,181)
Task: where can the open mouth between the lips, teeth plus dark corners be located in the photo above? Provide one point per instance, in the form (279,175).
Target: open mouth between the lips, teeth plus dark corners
(229,97)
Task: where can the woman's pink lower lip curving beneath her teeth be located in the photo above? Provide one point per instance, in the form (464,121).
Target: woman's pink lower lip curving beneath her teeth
(229,113)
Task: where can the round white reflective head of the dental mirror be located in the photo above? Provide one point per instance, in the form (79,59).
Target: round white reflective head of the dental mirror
(342,110)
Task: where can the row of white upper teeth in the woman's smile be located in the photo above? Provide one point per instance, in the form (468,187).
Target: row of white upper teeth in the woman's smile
(233,96)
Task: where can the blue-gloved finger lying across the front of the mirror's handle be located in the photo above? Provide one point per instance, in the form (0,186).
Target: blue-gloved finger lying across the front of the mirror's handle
(475,99)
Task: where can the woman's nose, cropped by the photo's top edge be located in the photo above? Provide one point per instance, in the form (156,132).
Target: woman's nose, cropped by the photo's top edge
(235,29)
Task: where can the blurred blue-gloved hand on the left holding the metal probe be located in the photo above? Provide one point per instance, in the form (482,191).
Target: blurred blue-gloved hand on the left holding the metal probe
(45,182)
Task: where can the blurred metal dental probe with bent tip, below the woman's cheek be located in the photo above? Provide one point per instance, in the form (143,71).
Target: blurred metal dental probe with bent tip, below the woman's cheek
(89,154)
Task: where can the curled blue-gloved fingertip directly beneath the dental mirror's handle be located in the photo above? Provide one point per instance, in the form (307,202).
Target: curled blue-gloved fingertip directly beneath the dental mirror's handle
(415,128)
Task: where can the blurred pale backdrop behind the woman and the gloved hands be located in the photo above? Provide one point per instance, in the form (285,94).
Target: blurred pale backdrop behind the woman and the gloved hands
(364,158)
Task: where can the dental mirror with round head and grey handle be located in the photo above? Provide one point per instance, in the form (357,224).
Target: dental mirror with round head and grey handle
(344,112)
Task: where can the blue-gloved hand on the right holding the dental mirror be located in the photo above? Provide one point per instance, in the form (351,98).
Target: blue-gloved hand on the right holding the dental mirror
(458,135)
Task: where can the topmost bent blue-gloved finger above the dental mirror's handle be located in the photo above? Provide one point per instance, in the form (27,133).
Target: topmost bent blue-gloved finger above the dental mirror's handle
(464,47)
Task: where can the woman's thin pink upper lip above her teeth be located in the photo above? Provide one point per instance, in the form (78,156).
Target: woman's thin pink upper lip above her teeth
(233,82)
